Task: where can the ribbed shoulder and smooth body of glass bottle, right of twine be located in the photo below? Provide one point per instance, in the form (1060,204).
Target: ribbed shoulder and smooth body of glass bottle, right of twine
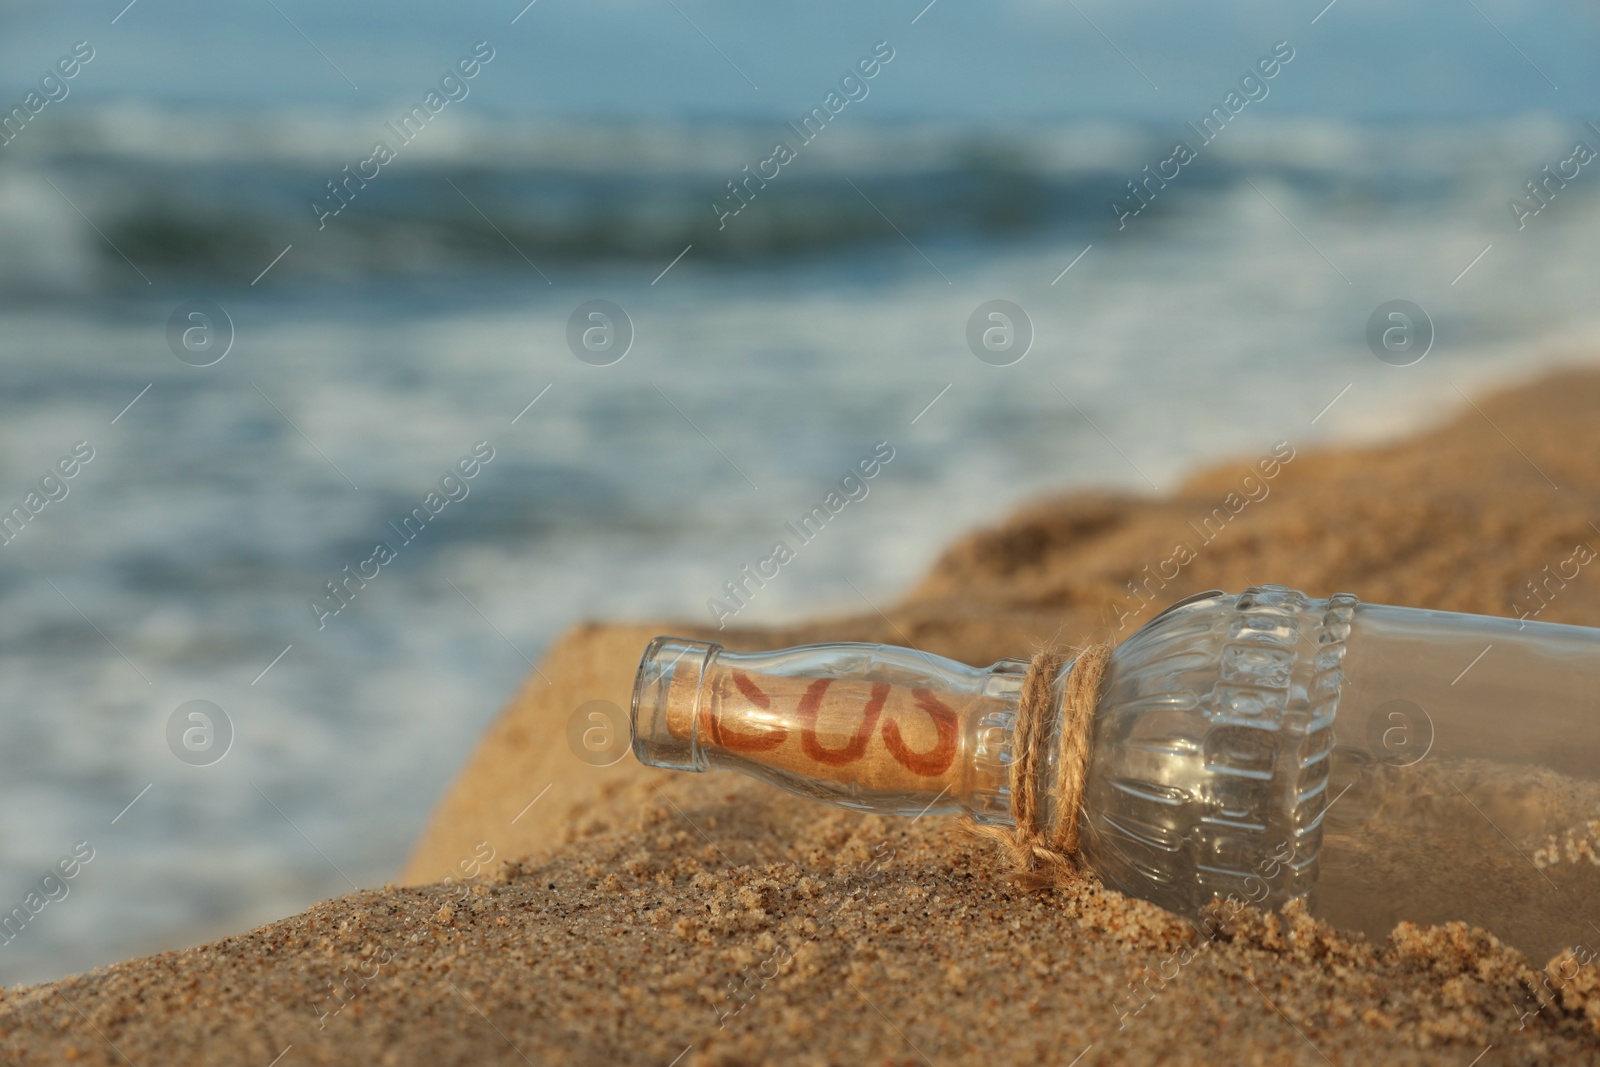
(1385,764)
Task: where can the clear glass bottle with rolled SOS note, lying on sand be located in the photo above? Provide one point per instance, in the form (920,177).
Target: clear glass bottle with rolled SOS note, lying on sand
(1382,764)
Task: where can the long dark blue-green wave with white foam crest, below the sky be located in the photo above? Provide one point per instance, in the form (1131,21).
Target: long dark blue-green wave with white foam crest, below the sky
(217,196)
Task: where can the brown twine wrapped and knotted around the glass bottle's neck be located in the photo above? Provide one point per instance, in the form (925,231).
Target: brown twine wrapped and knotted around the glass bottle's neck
(1042,855)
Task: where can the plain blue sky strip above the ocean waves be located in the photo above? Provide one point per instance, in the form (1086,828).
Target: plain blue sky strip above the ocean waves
(956,60)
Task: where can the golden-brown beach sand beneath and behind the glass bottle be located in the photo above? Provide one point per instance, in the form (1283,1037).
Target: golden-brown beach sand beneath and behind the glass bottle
(646,917)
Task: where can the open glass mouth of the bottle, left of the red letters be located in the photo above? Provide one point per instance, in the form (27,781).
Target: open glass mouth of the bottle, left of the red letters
(666,703)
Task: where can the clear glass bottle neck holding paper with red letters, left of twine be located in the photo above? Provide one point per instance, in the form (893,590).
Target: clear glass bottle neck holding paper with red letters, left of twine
(868,727)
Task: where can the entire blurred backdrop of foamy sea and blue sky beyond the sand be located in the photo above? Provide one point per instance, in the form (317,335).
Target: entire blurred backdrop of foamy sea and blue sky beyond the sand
(775,353)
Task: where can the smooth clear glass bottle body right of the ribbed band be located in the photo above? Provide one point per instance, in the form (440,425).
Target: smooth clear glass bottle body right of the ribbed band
(1470,759)
